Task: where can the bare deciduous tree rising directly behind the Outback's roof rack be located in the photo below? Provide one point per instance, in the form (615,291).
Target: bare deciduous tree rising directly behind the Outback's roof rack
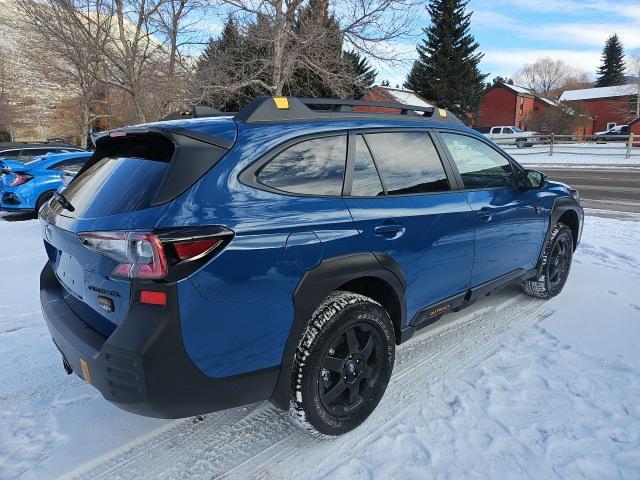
(288,41)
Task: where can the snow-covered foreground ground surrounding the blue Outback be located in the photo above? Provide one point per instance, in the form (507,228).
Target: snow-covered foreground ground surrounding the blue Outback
(511,388)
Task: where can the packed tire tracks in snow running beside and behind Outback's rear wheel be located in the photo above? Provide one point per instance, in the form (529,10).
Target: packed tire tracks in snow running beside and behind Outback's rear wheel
(259,440)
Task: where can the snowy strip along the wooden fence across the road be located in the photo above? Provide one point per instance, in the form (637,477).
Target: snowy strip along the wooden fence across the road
(610,154)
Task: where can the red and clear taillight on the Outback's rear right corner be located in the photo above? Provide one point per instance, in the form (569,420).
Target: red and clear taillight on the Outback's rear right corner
(167,253)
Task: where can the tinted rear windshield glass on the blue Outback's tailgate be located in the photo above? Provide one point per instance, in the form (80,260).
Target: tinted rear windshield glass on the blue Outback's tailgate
(115,185)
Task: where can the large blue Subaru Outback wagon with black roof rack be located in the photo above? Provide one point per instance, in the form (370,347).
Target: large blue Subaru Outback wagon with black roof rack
(282,253)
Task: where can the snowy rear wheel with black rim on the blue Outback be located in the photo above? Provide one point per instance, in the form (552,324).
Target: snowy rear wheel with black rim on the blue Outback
(342,364)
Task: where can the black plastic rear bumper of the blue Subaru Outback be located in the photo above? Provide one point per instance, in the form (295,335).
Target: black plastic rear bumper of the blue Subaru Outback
(142,367)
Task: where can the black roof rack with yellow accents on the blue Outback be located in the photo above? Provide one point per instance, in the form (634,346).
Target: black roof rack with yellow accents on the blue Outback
(278,109)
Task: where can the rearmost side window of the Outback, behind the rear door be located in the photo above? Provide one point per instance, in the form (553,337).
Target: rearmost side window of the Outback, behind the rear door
(313,167)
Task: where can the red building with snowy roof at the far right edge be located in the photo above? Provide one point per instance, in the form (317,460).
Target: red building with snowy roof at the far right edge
(607,106)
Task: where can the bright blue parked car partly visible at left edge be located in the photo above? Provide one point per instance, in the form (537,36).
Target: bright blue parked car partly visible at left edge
(26,187)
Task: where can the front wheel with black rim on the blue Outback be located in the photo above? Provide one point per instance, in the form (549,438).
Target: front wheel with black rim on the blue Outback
(555,265)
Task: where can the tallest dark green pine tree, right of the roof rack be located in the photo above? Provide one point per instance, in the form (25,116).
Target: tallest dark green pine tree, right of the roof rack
(446,71)
